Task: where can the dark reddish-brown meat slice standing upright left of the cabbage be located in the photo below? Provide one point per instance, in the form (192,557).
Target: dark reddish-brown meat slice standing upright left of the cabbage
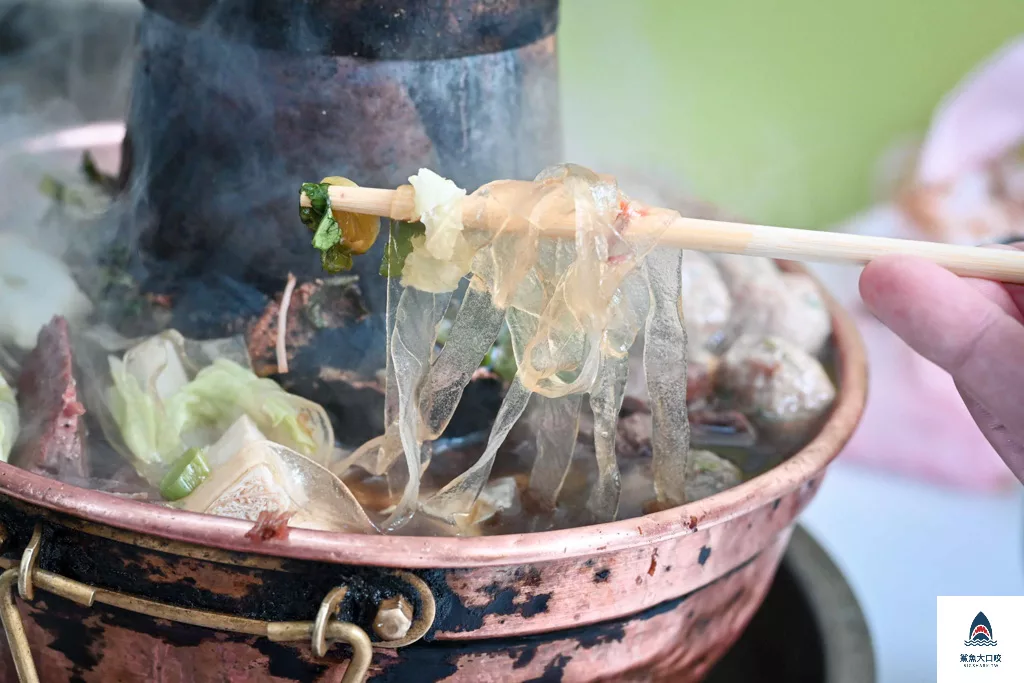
(53,440)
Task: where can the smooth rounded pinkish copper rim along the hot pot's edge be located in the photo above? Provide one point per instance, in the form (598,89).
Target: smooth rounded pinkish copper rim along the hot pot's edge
(444,552)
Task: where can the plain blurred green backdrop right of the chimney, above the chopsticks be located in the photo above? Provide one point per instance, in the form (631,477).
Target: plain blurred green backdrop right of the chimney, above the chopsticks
(779,110)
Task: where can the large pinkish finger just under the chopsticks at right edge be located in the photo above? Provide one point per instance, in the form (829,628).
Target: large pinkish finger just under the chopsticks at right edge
(955,324)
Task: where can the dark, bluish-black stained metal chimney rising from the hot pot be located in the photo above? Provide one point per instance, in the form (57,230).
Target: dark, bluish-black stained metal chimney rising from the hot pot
(236,103)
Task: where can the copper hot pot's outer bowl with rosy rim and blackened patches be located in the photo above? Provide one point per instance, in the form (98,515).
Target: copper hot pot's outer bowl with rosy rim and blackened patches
(117,590)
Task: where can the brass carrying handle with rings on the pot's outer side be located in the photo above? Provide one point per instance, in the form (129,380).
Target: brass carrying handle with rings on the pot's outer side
(321,633)
